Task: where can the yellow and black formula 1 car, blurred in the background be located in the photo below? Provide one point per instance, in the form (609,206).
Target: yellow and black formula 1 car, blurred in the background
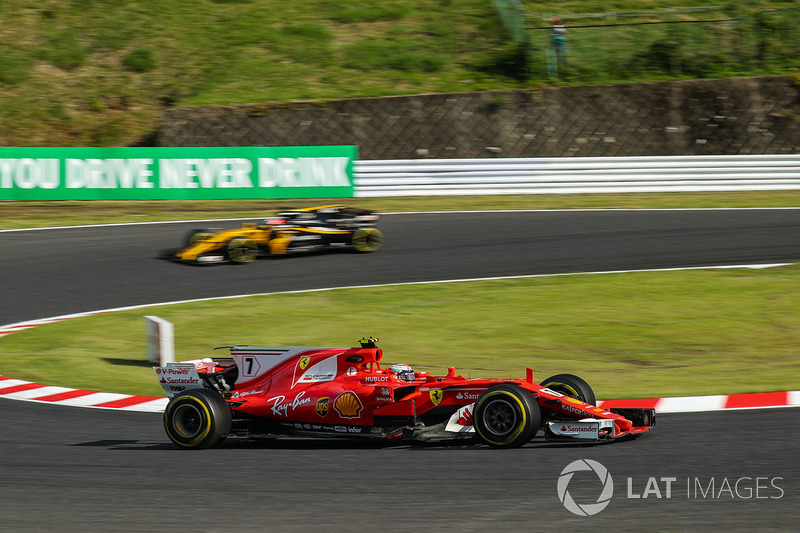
(292,230)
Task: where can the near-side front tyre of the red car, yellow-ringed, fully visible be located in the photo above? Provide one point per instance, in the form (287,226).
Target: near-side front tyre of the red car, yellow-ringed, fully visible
(506,416)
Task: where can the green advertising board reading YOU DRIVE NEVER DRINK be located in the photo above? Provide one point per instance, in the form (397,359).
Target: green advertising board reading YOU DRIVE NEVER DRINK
(246,172)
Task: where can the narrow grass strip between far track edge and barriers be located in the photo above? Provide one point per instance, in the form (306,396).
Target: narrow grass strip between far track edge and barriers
(43,214)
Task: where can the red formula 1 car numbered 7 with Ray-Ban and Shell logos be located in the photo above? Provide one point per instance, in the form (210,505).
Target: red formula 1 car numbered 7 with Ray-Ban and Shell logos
(328,392)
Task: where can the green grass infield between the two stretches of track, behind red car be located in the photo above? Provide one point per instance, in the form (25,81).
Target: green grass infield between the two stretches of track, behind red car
(630,335)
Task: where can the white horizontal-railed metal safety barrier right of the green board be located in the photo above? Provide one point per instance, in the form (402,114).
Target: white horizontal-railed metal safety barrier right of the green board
(441,177)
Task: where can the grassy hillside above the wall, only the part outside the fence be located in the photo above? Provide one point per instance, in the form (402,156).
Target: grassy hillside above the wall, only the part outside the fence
(101,72)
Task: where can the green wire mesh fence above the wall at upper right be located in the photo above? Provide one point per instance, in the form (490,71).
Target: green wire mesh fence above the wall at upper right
(701,43)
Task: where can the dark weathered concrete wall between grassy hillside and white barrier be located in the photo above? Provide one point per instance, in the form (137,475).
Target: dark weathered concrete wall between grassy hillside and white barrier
(695,117)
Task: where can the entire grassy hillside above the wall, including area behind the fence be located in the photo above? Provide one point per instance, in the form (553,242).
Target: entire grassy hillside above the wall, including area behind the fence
(102,72)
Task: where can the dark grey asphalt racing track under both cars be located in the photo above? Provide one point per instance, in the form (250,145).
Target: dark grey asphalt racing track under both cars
(73,469)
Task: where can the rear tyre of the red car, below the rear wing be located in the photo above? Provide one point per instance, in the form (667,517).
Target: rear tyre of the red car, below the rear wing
(197,419)
